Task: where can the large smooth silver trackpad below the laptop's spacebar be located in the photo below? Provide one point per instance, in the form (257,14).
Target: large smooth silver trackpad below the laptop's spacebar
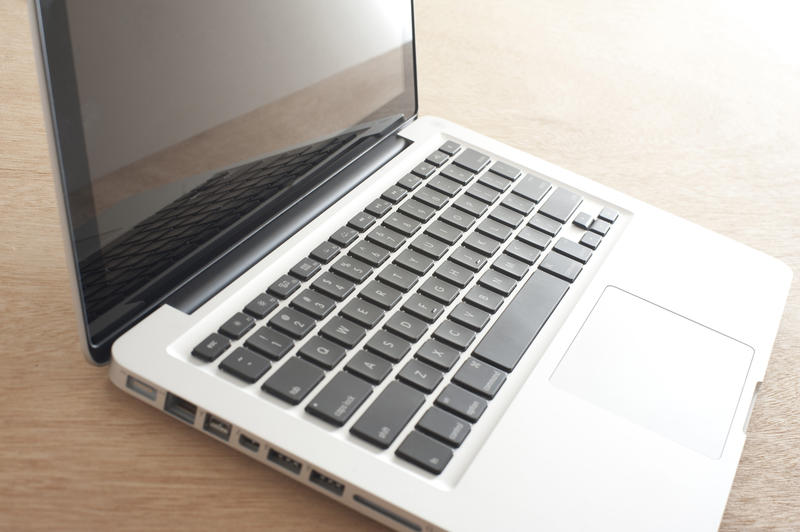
(658,369)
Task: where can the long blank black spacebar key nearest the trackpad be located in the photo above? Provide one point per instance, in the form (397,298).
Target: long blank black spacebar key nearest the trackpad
(518,325)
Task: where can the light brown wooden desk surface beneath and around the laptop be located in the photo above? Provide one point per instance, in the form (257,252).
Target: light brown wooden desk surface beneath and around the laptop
(691,106)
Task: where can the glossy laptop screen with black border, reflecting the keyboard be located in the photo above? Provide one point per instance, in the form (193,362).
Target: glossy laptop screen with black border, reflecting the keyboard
(182,124)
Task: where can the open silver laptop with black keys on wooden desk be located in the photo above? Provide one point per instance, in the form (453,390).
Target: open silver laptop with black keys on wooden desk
(431,327)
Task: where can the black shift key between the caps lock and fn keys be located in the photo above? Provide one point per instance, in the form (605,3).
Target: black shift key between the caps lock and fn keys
(386,417)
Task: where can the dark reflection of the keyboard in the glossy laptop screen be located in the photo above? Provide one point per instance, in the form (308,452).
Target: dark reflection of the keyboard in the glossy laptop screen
(192,220)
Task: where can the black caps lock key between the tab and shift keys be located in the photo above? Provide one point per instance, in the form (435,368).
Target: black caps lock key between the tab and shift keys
(339,399)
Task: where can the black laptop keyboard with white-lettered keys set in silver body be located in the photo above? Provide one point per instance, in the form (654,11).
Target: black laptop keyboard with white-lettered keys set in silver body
(475,251)
